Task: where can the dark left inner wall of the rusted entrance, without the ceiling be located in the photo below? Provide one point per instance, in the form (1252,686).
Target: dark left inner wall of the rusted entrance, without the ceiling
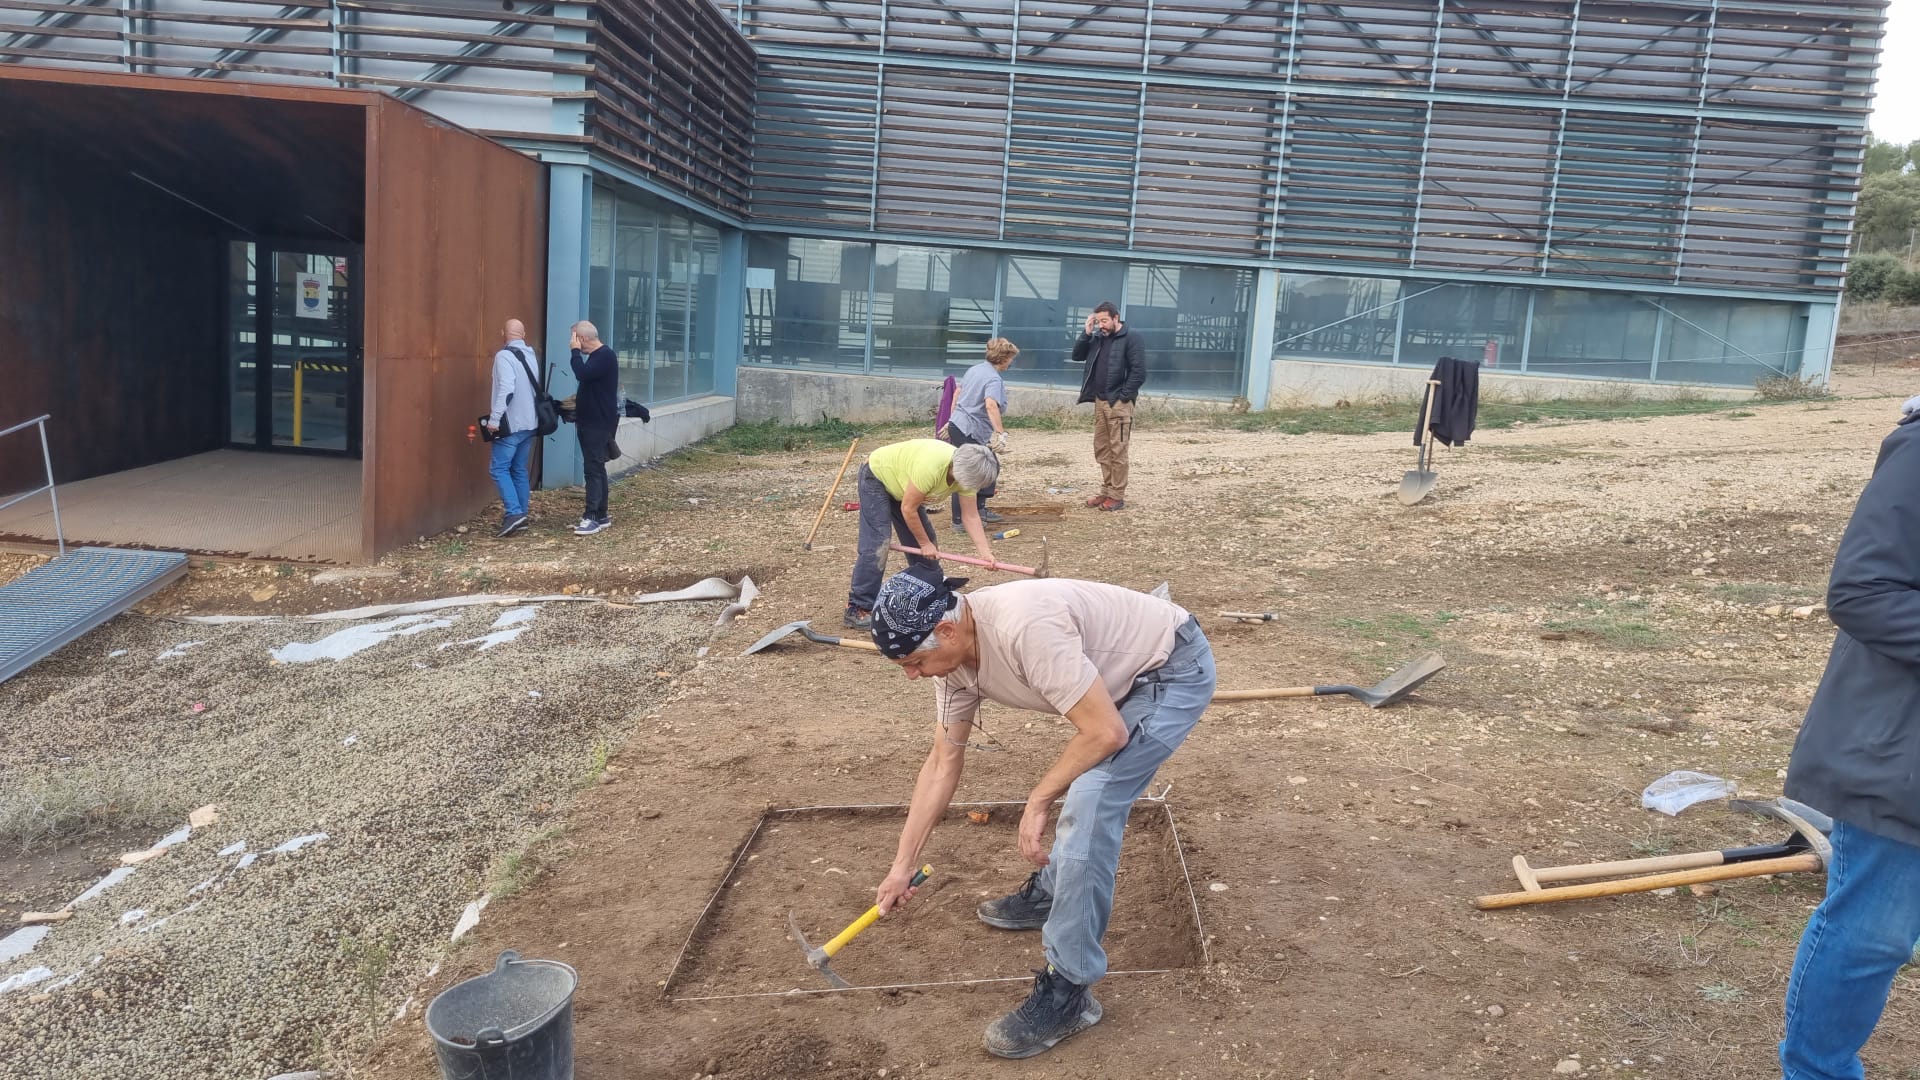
(110,318)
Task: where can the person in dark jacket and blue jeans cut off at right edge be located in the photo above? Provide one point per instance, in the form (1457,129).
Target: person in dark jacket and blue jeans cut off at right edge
(1858,758)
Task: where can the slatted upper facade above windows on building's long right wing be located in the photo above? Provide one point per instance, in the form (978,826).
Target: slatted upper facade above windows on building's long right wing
(1689,145)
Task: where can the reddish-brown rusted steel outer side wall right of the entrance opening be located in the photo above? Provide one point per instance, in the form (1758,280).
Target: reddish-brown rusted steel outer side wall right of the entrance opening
(456,245)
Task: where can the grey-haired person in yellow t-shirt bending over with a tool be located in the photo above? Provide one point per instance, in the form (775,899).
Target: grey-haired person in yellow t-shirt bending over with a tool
(896,485)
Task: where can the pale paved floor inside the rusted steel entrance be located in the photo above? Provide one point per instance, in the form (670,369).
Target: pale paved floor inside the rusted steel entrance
(226,503)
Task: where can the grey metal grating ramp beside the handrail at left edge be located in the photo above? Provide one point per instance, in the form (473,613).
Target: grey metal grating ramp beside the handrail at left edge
(62,601)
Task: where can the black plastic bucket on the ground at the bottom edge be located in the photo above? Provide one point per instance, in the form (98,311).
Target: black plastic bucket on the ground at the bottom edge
(514,1023)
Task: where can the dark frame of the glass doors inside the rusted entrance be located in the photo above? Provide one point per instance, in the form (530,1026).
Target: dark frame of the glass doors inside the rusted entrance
(266,255)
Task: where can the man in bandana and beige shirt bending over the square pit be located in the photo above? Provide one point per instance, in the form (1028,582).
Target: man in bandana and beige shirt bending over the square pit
(1128,670)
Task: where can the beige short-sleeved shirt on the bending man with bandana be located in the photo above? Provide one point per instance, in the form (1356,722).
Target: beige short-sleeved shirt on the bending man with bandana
(1045,643)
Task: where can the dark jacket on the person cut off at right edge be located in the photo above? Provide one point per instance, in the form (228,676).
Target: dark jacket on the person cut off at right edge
(1858,756)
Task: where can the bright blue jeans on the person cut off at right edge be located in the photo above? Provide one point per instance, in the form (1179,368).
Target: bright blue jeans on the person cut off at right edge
(1854,945)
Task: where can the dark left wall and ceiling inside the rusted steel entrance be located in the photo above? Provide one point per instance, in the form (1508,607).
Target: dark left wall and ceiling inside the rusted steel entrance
(118,195)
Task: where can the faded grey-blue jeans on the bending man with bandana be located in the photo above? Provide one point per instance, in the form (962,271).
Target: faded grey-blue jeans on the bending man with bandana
(1159,712)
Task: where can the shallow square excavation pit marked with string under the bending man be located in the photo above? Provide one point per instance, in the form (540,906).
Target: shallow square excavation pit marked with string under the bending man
(825,866)
